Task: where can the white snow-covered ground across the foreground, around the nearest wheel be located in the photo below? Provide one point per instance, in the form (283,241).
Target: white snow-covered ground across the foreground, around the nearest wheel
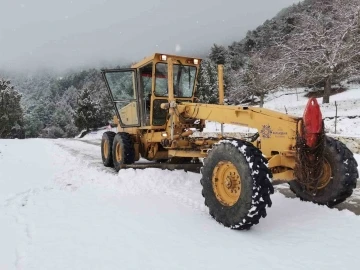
(61,209)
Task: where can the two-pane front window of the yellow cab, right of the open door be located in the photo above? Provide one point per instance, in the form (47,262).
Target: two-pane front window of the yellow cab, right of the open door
(184,80)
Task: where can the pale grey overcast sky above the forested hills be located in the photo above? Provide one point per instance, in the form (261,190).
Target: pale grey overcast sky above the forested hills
(66,34)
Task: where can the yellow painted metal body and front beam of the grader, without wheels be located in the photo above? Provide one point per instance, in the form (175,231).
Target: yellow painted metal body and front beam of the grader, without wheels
(277,131)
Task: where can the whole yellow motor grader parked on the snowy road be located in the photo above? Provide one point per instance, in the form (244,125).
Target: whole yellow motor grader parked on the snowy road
(157,115)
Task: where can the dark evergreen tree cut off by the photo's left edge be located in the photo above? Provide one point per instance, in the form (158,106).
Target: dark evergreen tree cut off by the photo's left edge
(11,113)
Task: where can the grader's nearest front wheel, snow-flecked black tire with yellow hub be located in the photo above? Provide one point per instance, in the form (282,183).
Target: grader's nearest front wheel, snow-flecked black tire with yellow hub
(254,187)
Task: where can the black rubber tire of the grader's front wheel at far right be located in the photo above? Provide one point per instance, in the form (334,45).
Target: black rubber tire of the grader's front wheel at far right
(342,180)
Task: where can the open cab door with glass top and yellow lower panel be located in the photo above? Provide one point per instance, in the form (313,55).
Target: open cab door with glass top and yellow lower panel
(122,87)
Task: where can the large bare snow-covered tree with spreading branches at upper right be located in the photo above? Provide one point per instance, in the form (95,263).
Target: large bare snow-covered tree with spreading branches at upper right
(325,44)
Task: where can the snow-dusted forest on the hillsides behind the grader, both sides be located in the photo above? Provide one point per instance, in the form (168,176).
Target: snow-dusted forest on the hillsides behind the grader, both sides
(313,44)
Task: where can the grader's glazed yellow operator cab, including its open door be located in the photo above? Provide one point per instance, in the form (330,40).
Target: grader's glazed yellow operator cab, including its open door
(138,92)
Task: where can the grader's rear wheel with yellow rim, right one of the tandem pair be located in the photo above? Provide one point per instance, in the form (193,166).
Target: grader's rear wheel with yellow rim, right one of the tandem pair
(123,151)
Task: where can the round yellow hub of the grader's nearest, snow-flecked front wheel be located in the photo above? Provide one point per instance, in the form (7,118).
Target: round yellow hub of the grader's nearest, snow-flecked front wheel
(226,183)
